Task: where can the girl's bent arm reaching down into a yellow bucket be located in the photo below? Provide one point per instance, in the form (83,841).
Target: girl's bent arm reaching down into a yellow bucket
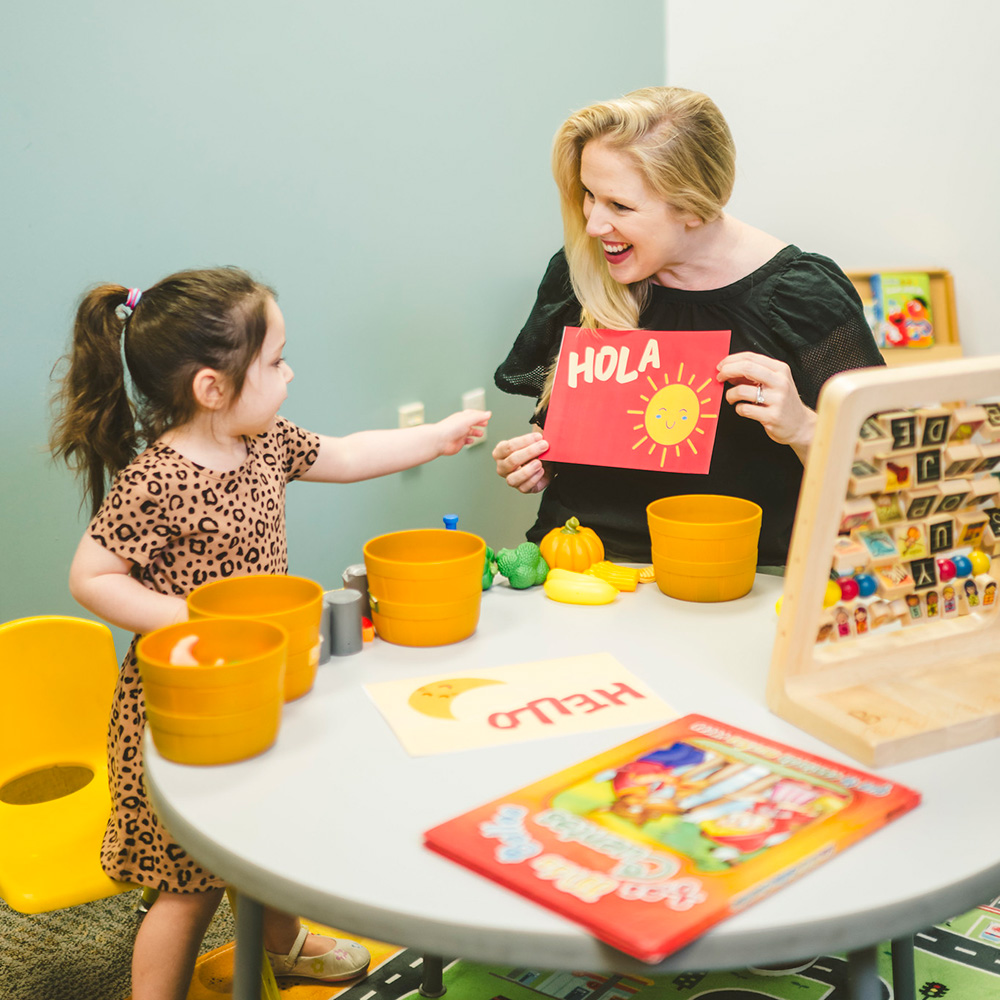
(102,583)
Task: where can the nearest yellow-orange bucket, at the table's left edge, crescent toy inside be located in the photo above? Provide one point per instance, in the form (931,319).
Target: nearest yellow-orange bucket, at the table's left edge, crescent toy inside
(215,712)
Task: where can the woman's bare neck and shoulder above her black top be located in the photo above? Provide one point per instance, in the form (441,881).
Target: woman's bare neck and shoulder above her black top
(719,253)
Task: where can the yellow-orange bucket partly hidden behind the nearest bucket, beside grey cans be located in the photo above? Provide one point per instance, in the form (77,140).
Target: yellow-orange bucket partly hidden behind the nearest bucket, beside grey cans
(293,602)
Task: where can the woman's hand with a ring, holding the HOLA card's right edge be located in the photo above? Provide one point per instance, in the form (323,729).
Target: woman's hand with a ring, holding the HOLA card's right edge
(780,411)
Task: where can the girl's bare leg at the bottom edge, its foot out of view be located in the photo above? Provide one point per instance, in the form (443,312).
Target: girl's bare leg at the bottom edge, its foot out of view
(167,944)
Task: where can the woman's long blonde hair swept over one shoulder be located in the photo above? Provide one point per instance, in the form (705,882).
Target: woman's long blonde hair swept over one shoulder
(680,144)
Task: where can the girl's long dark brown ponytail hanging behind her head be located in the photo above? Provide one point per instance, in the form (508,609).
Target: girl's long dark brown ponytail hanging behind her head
(95,427)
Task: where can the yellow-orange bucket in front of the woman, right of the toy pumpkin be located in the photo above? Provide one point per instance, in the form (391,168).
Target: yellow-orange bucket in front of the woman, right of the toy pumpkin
(704,546)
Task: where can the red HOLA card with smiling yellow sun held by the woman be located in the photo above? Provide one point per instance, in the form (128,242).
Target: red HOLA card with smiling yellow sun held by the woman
(636,399)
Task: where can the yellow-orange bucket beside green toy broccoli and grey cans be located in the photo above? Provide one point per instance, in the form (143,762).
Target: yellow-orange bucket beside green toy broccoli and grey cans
(425,586)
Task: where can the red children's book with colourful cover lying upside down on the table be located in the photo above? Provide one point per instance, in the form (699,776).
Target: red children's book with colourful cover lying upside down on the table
(651,843)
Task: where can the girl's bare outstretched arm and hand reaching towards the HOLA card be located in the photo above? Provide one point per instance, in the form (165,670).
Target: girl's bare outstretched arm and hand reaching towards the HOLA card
(368,454)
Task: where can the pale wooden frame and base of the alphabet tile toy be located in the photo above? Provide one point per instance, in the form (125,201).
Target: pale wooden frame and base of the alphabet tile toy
(891,695)
